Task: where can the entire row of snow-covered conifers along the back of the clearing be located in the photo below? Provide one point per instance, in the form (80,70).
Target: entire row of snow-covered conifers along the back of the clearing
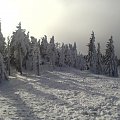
(25,52)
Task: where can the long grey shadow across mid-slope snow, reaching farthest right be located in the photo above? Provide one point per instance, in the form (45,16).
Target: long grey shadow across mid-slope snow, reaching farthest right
(64,82)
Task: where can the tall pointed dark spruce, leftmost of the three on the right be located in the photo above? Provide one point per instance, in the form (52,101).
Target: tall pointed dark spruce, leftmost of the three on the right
(92,55)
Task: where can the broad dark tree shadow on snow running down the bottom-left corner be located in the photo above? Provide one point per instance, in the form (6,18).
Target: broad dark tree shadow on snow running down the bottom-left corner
(22,111)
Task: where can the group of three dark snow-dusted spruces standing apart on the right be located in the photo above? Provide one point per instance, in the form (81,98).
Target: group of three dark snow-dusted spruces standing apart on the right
(99,63)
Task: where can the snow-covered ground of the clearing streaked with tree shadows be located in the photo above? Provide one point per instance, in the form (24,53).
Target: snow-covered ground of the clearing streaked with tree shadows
(65,94)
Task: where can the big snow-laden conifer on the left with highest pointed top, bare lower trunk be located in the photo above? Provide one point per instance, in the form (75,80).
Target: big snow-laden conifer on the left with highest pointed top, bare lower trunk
(18,47)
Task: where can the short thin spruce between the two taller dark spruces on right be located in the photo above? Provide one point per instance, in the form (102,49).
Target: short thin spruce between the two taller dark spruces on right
(99,60)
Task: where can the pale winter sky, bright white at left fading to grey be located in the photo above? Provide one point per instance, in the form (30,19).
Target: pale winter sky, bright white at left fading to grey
(67,20)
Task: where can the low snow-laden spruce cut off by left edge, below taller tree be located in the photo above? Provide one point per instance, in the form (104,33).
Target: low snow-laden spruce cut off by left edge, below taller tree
(3,75)
